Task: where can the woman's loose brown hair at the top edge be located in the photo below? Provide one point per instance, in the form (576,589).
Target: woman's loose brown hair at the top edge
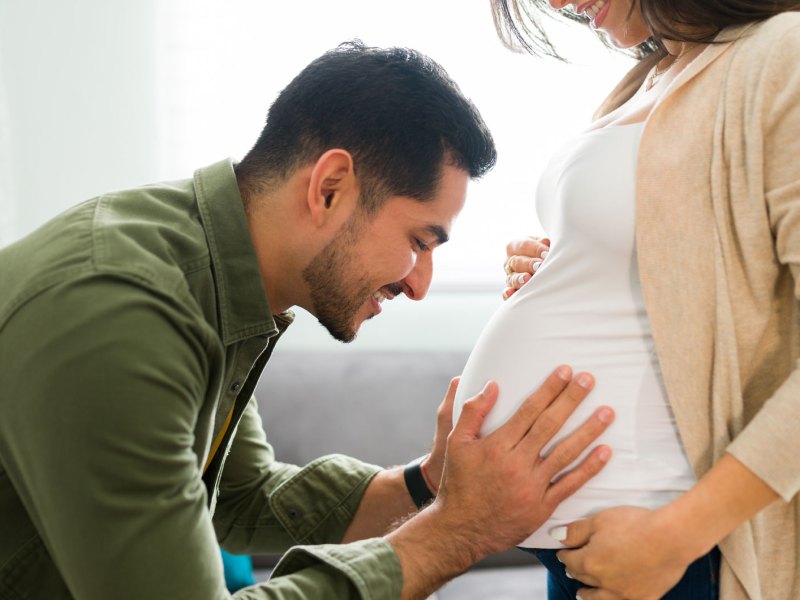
(520,27)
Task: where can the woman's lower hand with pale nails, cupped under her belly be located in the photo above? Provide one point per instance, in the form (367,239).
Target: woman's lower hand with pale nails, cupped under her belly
(625,552)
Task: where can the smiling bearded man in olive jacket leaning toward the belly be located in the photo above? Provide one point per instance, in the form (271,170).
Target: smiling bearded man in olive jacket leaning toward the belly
(133,329)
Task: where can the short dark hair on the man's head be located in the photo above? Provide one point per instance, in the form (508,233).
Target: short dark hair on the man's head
(395,110)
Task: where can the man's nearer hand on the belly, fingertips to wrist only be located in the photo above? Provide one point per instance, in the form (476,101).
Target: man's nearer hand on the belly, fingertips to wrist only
(501,481)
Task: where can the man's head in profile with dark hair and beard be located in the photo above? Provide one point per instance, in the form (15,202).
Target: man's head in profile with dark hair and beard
(385,137)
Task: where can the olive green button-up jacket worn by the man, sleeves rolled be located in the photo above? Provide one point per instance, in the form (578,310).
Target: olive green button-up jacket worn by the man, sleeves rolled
(132,327)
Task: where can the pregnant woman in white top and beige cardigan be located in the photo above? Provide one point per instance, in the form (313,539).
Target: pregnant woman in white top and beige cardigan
(675,227)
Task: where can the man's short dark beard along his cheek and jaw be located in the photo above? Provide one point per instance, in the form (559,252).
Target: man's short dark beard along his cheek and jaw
(337,293)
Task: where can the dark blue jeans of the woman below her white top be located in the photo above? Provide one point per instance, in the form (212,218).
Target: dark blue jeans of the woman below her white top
(700,582)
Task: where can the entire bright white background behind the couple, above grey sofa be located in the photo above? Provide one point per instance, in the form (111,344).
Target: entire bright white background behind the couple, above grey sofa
(105,94)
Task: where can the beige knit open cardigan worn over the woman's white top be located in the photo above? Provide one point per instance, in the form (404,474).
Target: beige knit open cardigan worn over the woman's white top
(718,237)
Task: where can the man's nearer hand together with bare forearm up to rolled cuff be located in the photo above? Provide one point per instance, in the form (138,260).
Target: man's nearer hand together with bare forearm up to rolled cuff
(496,490)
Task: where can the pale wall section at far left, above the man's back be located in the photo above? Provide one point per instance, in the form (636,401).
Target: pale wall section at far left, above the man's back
(77,104)
